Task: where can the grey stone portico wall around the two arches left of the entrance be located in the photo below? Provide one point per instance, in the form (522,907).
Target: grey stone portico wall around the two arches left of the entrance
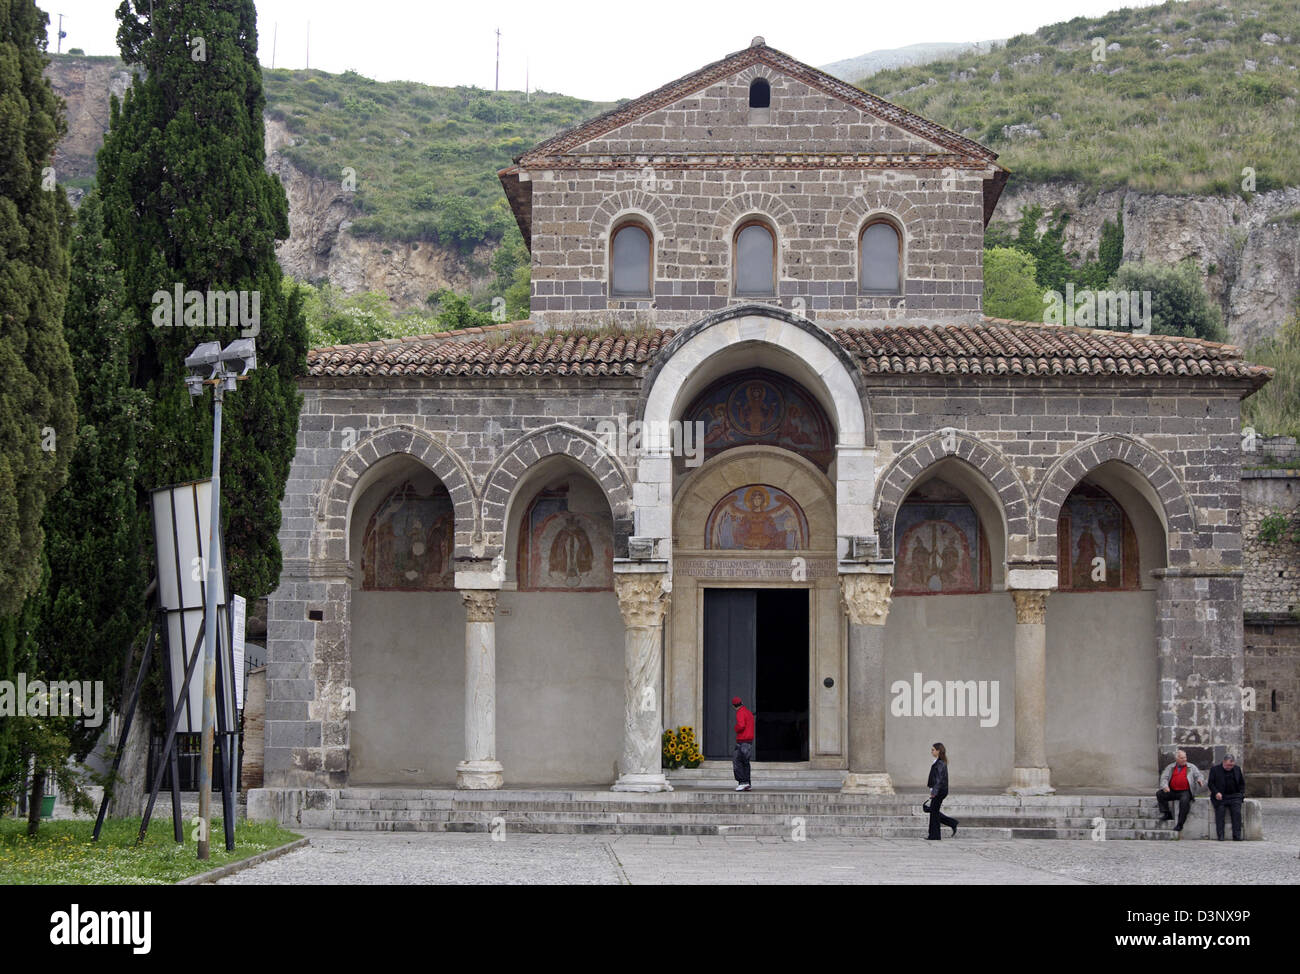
(475,419)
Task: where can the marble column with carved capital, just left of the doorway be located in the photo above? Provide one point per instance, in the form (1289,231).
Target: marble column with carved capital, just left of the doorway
(643,600)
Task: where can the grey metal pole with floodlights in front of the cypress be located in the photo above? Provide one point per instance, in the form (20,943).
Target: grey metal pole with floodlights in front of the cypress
(210,365)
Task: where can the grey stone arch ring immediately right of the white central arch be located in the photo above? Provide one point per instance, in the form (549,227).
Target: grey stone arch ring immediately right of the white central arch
(978,470)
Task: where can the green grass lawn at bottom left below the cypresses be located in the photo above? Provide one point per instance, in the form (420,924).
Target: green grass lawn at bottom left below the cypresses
(64,854)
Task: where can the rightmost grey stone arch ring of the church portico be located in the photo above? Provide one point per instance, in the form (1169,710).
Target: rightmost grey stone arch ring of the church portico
(1134,471)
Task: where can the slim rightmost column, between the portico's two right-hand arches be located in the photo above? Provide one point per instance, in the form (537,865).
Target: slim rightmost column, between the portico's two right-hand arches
(1032,774)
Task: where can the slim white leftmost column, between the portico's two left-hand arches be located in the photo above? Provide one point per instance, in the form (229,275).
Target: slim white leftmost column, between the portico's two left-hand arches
(480,769)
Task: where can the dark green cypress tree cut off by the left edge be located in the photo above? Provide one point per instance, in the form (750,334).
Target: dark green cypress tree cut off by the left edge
(37,391)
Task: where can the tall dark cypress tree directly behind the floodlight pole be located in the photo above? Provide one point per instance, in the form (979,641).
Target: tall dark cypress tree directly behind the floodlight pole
(189,204)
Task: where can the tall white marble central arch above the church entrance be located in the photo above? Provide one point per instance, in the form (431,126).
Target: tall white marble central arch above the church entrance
(739,339)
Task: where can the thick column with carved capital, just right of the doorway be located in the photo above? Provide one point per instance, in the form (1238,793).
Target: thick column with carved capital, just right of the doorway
(866,601)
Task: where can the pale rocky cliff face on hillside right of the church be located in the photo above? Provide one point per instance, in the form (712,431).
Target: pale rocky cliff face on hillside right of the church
(1250,252)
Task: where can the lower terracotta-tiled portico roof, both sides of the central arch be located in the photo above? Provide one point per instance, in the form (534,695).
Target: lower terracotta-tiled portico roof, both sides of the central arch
(996,348)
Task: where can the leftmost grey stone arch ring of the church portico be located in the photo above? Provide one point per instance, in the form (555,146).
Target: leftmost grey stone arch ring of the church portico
(357,470)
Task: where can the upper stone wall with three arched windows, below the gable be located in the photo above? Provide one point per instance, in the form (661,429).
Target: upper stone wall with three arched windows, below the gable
(817,218)
